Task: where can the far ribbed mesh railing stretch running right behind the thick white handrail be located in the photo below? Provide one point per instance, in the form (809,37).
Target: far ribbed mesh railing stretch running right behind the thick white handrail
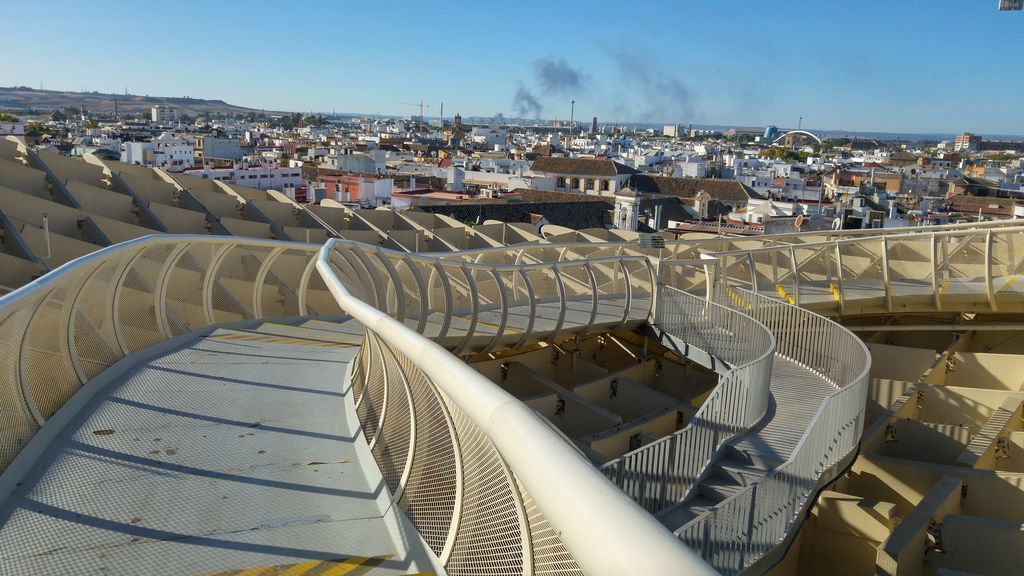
(474,308)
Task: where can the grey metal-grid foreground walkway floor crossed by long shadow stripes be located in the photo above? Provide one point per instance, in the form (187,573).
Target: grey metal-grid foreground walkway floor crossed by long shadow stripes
(240,449)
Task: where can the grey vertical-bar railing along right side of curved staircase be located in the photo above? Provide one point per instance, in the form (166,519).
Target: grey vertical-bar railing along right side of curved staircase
(750,524)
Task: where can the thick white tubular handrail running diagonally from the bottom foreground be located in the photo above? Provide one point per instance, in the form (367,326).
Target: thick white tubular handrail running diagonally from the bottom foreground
(605,532)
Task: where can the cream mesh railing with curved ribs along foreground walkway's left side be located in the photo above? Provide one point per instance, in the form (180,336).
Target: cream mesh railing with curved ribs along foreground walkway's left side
(61,332)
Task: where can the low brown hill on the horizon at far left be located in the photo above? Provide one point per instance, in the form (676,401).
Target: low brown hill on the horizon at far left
(25,99)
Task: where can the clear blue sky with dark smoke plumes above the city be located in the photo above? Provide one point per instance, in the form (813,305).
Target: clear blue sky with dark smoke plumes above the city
(909,66)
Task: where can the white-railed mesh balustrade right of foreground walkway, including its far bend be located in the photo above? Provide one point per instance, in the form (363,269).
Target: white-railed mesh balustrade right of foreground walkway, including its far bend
(492,488)
